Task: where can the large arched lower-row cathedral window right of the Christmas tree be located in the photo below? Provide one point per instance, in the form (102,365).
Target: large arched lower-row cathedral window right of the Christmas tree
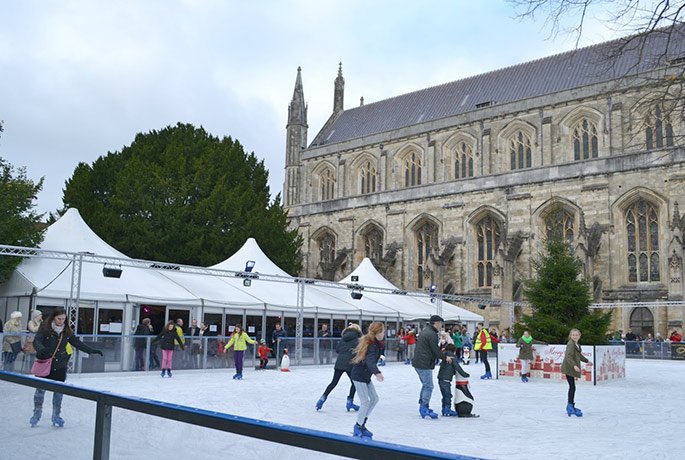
(642,229)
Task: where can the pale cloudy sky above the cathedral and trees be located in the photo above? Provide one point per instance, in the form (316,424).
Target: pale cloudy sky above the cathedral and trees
(79,79)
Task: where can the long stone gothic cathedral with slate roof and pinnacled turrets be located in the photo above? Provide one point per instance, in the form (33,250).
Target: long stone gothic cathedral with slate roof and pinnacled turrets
(458,185)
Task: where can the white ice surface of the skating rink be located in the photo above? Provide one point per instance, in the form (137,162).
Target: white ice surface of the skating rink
(626,419)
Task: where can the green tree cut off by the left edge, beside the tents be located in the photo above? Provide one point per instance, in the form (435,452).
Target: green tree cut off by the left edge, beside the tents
(20,225)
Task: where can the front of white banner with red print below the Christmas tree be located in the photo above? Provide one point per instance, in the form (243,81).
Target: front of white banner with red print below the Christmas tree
(546,363)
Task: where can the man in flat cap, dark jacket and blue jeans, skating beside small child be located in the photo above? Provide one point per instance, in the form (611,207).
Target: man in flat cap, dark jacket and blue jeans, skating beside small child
(426,354)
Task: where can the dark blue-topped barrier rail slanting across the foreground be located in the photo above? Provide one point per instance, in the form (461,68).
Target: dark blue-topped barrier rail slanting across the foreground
(320,441)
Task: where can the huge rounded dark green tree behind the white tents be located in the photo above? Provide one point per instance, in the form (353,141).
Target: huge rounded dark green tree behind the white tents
(182,195)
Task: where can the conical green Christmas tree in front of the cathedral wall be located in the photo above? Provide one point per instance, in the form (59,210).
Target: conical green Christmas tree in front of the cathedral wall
(560,298)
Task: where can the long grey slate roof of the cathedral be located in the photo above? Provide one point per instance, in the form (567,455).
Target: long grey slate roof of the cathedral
(548,75)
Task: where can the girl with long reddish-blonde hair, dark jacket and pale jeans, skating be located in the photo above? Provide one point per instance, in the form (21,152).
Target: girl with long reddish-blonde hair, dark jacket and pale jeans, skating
(365,360)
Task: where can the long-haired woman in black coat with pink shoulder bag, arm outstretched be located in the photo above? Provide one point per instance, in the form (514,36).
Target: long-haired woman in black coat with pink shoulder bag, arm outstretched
(51,341)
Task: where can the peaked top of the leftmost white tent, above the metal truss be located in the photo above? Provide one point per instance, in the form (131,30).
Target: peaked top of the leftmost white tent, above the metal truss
(72,234)
